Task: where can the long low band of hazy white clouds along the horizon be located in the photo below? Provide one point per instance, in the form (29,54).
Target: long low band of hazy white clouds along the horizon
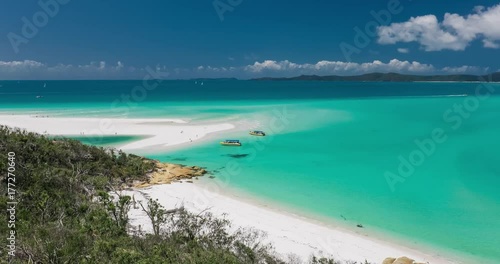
(30,69)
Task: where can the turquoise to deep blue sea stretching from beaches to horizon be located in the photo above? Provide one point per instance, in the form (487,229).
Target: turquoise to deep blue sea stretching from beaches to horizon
(330,147)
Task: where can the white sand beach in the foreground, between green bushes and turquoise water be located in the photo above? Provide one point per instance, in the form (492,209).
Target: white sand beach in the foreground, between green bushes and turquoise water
(288,233)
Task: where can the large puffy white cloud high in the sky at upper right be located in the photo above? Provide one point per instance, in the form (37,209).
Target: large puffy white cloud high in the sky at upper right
(454,32)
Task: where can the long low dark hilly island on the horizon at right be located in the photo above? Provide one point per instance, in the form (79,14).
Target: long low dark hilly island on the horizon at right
(390,77)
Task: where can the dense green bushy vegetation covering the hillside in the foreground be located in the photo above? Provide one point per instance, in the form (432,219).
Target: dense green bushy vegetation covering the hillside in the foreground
(66,212)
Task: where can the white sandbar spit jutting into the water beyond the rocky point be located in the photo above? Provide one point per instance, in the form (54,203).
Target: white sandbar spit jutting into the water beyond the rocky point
(158,132)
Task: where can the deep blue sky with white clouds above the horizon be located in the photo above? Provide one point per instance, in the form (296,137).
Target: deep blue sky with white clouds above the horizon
(110,39)
